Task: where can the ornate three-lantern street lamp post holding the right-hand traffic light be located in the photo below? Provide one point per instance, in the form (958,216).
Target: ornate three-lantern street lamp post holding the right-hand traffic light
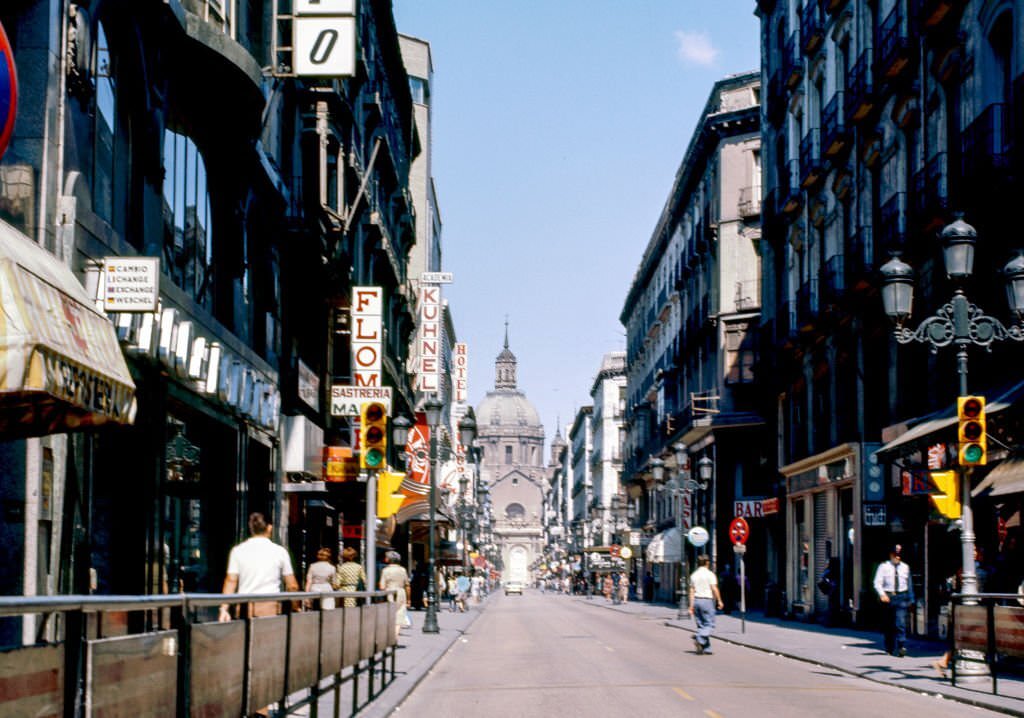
(962,324)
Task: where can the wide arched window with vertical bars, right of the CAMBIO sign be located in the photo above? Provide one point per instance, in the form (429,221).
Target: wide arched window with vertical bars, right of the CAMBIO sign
(188,236)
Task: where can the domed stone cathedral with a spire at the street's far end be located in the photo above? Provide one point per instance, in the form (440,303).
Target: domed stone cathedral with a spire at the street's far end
(509,430)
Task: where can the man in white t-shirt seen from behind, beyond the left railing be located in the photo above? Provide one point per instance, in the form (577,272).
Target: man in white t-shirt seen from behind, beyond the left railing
(259,566)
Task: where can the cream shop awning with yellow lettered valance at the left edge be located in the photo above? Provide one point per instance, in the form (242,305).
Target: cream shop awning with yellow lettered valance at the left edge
(61,366)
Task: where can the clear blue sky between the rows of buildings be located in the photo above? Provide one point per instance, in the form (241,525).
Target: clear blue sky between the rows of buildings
(559,126)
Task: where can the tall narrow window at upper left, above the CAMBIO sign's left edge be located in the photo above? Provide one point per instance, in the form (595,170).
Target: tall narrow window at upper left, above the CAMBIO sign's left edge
(105,130)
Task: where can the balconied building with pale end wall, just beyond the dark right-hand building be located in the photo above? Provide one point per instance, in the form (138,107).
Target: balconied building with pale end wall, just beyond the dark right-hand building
(692,319)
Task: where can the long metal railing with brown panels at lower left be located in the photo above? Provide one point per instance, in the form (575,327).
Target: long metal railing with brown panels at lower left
(169,655)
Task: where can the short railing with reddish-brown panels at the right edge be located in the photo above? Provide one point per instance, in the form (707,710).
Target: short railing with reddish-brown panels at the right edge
(992,624)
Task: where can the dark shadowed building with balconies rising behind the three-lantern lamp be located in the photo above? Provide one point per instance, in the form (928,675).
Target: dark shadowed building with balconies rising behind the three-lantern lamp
(881,120)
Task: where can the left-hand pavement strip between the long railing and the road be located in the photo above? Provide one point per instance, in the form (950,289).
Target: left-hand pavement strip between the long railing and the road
(418,652)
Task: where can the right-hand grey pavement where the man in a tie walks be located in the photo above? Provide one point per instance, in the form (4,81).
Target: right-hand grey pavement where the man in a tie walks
(854,652)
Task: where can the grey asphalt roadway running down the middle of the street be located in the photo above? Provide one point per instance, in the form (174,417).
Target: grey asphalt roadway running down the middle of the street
(546,655)
